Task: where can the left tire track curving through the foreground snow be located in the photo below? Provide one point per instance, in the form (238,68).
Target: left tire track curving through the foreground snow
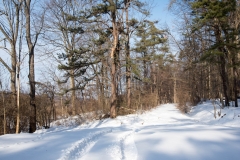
(82,147)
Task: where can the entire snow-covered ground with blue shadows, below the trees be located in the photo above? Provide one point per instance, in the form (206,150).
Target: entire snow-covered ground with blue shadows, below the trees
(162,133)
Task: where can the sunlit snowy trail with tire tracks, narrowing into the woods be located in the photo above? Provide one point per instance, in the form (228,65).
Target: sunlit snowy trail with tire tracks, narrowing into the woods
(150,136)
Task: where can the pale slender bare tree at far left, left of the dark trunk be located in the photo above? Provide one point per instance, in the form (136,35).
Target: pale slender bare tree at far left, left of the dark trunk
(9,27)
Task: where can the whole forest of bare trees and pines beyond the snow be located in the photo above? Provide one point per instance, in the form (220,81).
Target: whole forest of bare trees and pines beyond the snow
(109,58)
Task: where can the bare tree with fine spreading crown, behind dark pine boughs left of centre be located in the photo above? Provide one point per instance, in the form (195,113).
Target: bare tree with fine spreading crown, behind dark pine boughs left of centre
(65,35)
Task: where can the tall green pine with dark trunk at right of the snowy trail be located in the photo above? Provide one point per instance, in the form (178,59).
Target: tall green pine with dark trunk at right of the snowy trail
(214,15)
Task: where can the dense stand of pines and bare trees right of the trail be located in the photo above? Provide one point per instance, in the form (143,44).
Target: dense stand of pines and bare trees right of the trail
(209,48)
